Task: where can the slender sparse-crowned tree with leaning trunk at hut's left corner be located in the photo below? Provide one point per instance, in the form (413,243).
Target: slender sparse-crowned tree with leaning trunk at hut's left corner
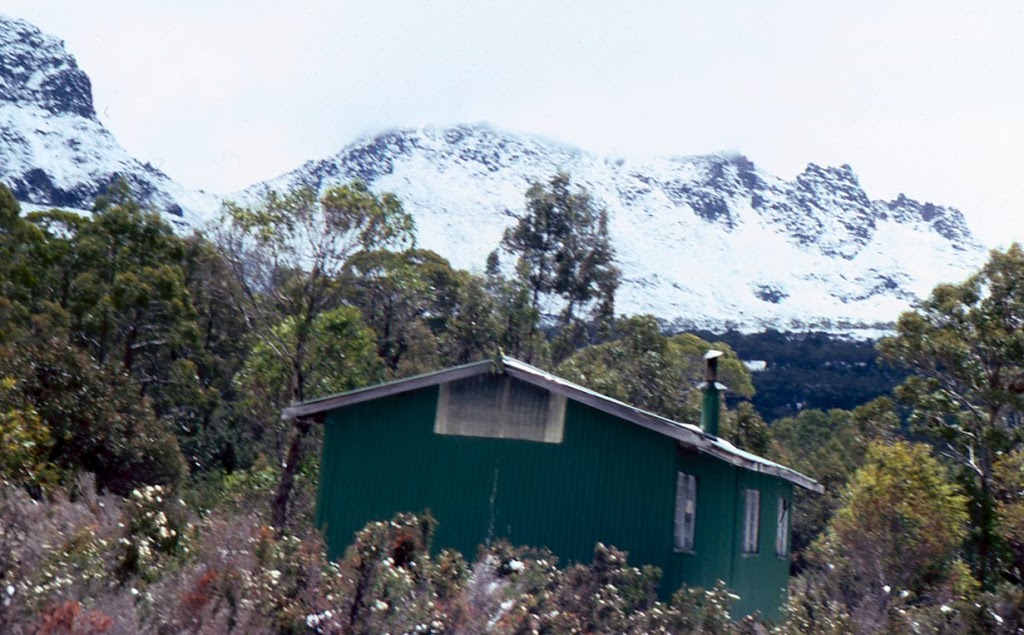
(287,255)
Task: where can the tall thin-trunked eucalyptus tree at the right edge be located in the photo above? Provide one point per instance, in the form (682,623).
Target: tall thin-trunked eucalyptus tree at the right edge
(965,349)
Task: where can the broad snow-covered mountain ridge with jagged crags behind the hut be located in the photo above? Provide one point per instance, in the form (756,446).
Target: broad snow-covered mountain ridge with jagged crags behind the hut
(707,241)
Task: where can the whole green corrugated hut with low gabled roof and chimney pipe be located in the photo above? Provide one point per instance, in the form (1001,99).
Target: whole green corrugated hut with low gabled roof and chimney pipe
(502,450)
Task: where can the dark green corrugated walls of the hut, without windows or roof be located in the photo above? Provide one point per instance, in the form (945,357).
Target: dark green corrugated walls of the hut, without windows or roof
(609,481)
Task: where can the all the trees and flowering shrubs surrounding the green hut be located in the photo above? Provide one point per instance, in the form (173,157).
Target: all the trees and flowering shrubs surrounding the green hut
(149,485)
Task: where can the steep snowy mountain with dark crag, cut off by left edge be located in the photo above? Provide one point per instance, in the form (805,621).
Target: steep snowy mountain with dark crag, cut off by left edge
(54,151)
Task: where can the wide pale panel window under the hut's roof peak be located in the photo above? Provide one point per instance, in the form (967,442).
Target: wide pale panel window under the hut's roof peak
(500,407)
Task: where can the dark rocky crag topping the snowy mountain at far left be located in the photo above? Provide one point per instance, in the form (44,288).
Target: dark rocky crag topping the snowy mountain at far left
(36,69)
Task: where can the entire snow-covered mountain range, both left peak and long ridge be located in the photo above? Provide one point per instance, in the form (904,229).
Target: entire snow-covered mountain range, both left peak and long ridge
(709,241)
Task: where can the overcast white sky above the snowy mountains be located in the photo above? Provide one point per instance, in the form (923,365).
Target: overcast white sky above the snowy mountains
(925,98)
